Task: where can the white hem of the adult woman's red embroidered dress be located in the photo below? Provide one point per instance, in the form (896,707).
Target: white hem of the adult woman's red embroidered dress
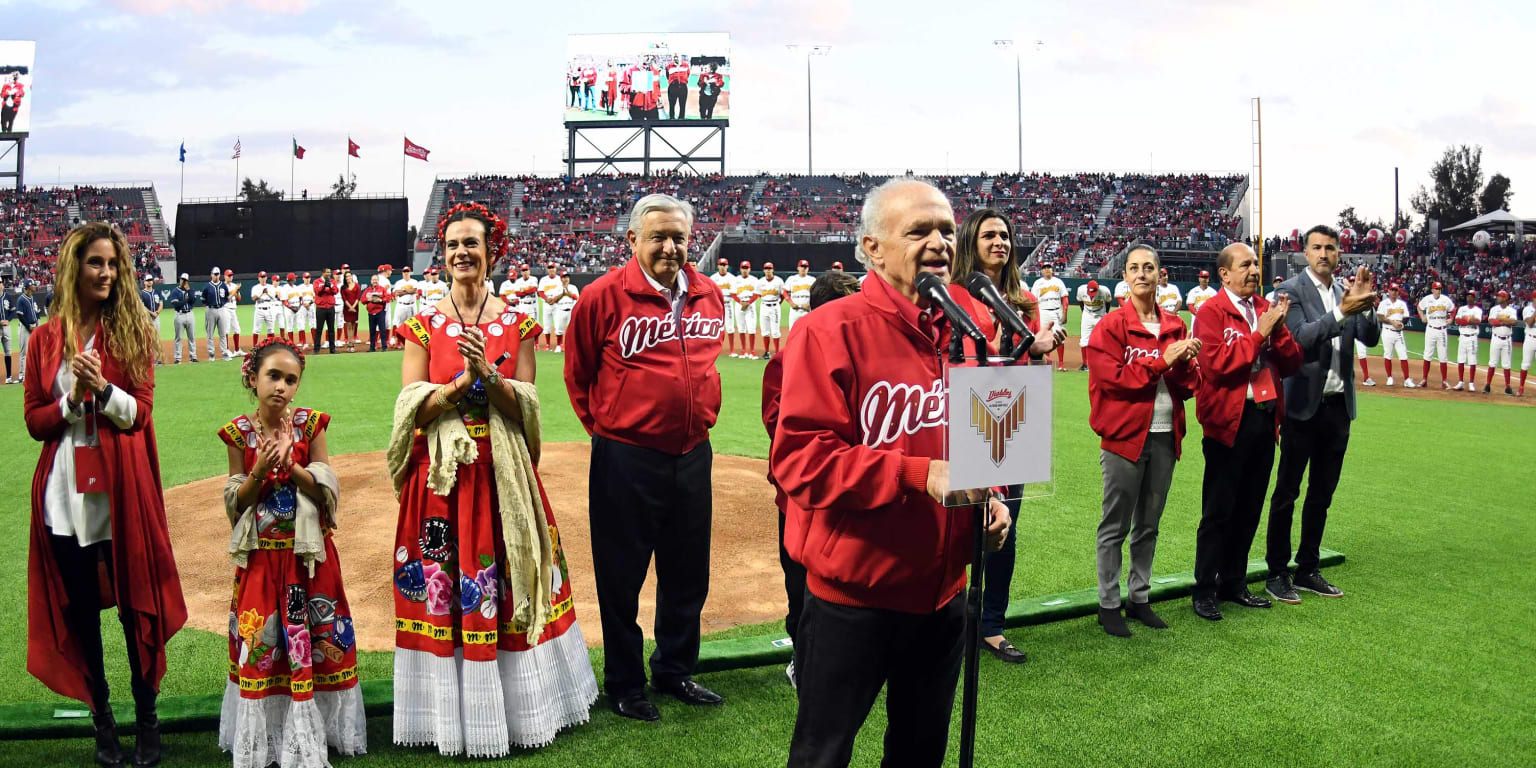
(485,709)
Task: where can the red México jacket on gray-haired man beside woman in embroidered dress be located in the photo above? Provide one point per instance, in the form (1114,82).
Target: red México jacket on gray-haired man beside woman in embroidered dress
(631,379)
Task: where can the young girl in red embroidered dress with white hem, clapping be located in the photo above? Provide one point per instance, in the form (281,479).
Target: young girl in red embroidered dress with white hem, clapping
(293,649)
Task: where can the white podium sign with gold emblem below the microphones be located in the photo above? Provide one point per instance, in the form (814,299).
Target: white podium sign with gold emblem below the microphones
(999,426)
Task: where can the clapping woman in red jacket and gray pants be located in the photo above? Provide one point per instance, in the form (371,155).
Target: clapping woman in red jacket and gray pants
(1140,372)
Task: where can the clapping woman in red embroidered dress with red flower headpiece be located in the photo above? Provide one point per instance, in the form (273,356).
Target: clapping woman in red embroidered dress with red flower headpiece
(468,678)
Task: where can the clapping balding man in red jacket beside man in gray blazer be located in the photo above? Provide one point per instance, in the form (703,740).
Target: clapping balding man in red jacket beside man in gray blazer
(1245,351)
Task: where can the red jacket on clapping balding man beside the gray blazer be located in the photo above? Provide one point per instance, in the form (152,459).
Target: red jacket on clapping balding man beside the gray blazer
(1226,357)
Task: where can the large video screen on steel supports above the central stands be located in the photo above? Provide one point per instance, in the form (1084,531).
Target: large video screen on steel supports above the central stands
(670,78)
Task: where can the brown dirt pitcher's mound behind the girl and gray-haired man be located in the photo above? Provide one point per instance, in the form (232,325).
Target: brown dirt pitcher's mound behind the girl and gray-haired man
(746,583)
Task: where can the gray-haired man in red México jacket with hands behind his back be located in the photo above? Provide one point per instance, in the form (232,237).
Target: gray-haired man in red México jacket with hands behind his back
(640,369)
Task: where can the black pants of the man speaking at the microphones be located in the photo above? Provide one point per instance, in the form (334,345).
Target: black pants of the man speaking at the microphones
(847,655)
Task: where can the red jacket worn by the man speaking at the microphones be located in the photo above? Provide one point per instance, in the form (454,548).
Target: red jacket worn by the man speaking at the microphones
(856,434)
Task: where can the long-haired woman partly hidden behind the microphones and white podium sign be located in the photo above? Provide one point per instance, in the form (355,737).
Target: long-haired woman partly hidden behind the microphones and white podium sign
(985,243)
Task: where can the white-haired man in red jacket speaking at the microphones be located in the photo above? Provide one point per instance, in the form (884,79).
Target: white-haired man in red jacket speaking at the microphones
(858,452)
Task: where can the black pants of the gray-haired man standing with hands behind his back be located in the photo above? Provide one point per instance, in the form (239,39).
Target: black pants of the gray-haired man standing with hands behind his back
(640,503)
